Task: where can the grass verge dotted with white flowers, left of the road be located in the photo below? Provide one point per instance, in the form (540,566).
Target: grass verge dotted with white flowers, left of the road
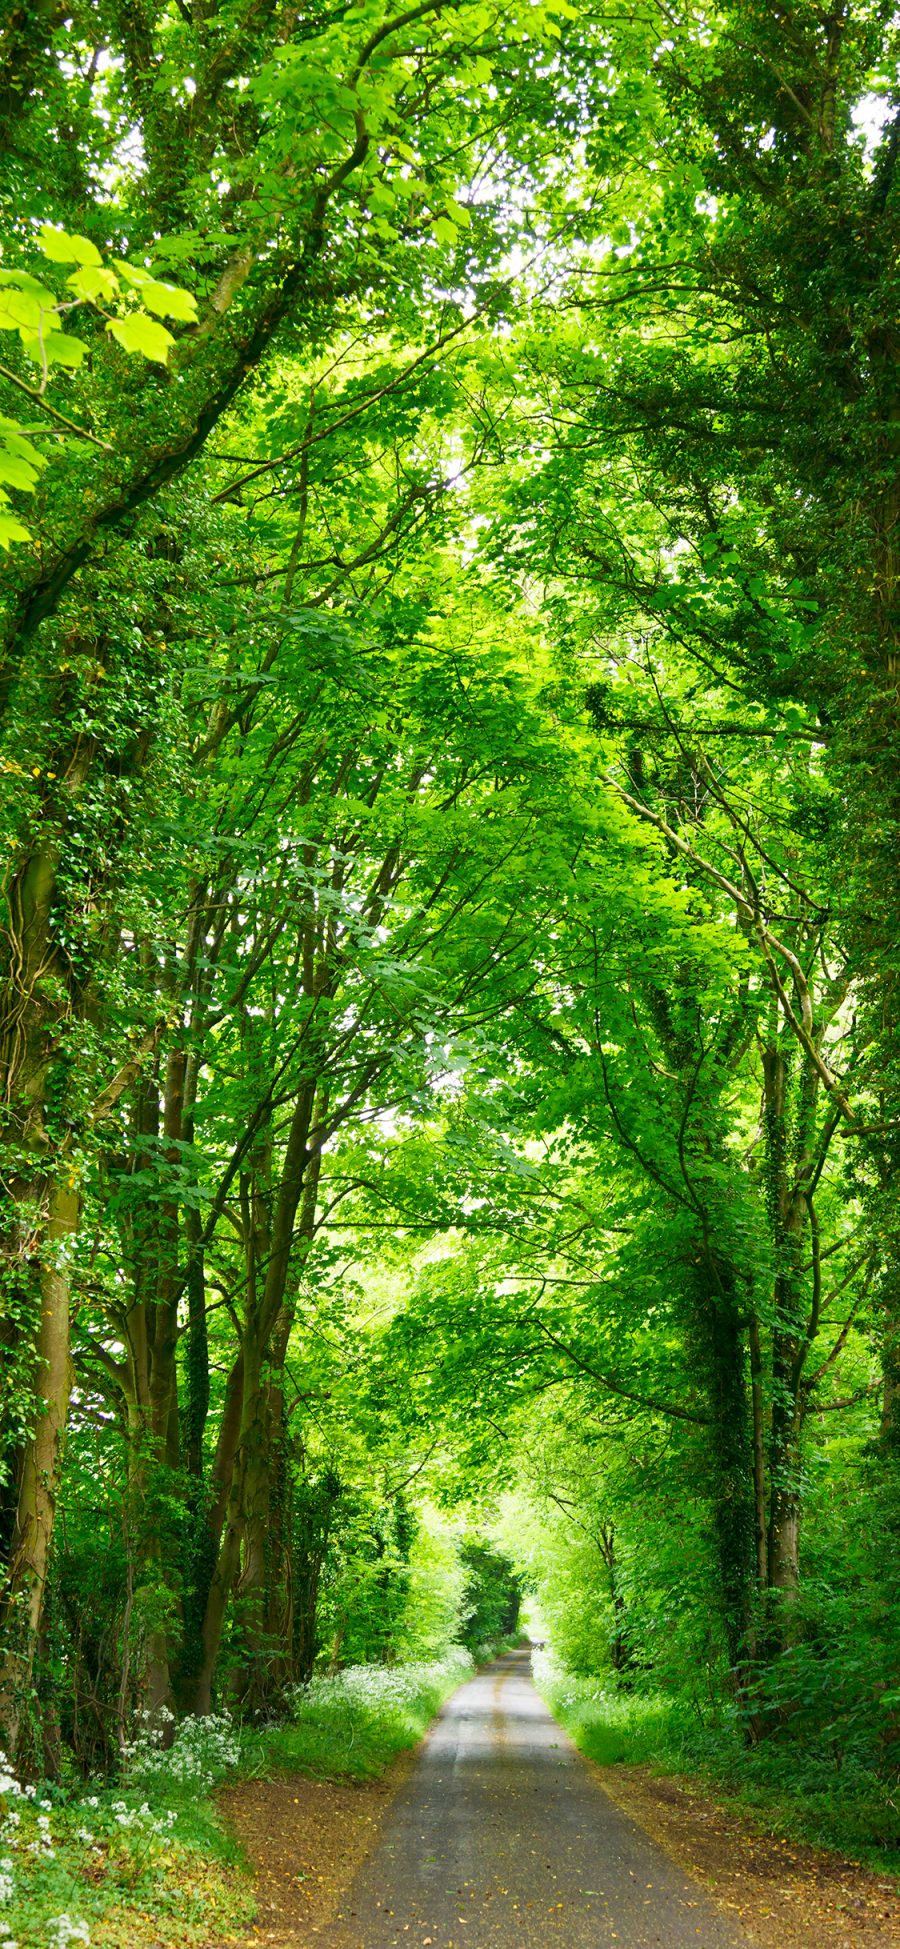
(151,1860)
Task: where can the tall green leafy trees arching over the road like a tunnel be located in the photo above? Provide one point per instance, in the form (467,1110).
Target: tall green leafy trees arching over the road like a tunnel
(451,808)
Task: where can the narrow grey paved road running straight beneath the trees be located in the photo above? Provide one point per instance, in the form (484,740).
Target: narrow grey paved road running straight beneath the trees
(502,1839)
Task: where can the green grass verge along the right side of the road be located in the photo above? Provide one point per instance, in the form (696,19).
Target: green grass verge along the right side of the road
(827,1794)
